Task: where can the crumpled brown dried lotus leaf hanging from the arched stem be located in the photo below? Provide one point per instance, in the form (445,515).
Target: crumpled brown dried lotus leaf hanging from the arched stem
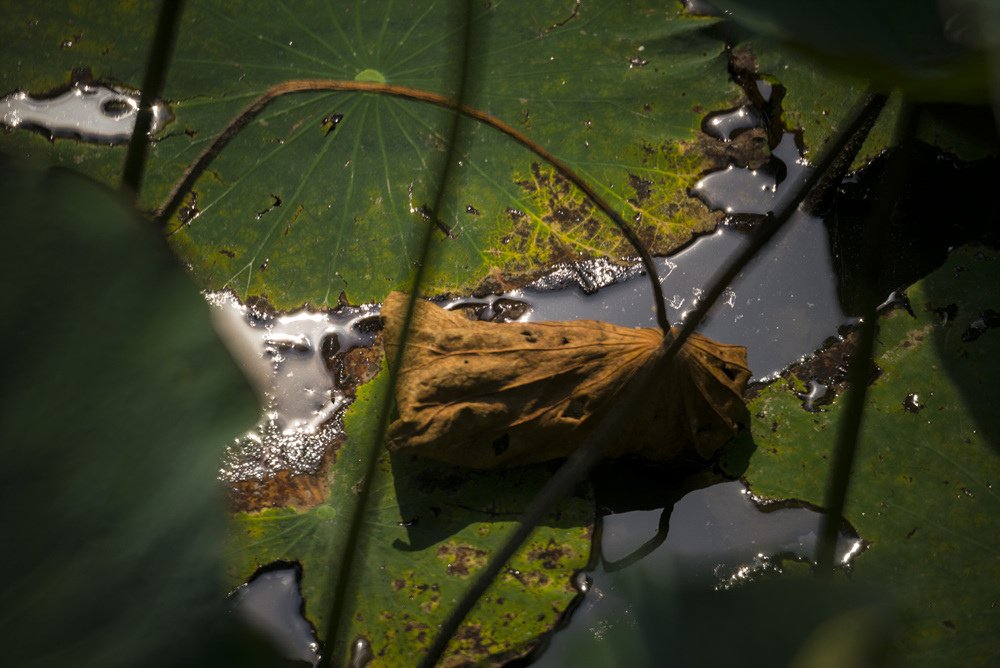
(488,395)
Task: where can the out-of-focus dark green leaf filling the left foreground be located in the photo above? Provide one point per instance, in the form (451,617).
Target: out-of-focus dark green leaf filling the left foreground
(117,398)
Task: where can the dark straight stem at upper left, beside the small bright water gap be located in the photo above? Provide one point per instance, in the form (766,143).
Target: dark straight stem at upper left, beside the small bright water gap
(152,85)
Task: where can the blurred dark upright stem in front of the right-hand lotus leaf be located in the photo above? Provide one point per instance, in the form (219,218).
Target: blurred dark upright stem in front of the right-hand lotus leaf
(859,374)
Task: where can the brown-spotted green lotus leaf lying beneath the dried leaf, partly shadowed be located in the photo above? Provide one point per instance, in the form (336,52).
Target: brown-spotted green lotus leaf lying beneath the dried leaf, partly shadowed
(430,529)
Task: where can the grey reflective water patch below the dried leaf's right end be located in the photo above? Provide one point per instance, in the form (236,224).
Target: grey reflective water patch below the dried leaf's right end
(718,538)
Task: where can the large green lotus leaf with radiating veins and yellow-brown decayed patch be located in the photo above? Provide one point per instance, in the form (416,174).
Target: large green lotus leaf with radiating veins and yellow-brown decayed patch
(616,90)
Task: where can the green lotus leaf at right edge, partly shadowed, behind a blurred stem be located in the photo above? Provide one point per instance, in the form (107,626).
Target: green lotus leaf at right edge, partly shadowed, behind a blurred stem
(922,493)
